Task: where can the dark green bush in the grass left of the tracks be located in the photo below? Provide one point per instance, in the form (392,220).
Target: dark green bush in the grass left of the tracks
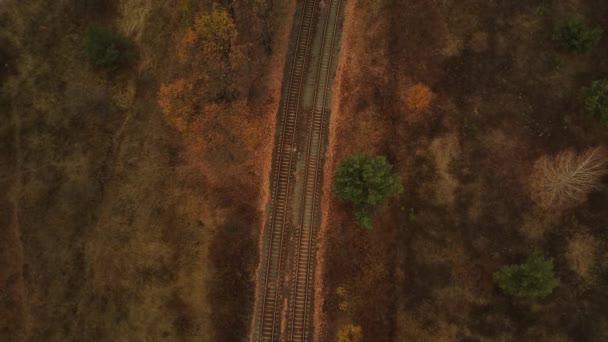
(104,47)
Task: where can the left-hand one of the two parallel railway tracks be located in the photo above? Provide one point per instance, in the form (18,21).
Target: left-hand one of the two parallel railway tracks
(268,328)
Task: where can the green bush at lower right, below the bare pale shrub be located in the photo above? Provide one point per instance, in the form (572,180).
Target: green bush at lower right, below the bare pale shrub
(533,278)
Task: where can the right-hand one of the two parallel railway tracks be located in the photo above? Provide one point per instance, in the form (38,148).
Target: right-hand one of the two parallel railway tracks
(303,271)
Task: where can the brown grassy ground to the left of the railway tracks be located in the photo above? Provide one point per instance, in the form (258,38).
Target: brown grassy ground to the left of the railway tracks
(113,224)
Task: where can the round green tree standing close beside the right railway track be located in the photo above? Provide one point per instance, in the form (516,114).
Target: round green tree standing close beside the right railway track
(365,182)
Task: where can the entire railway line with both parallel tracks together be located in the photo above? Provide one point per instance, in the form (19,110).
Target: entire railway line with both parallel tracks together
(270,309)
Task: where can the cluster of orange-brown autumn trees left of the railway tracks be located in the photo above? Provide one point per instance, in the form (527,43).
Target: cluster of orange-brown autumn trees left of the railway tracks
(207,106)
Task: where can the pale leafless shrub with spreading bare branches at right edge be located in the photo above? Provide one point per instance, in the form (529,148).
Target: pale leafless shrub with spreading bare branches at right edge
(565,180)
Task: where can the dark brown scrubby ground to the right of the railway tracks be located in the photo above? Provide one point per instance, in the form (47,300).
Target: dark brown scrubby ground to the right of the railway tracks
(503,95)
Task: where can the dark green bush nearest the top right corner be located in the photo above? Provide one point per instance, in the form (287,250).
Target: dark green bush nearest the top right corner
(577,37)
